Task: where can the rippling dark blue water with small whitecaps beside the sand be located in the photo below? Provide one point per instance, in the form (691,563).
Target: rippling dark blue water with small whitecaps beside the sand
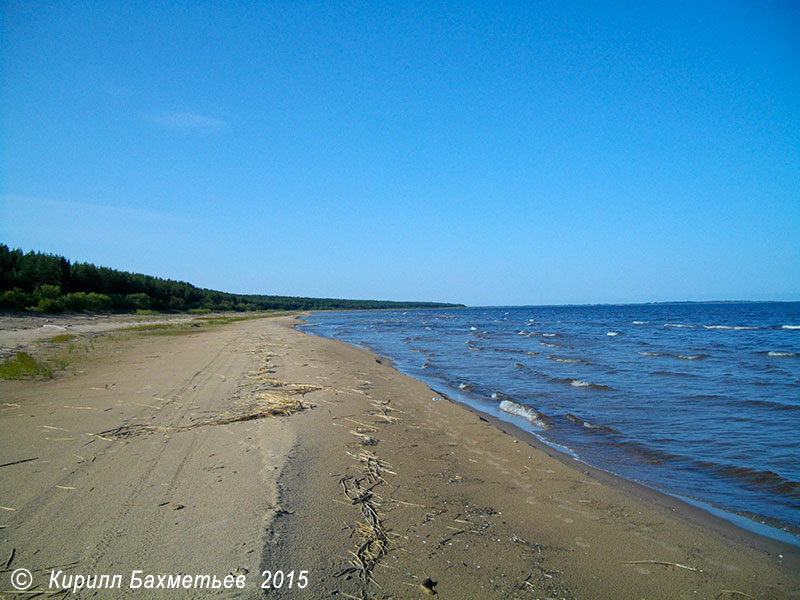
(696,400)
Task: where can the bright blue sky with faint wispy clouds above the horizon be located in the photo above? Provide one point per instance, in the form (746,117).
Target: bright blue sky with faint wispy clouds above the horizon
(484,153)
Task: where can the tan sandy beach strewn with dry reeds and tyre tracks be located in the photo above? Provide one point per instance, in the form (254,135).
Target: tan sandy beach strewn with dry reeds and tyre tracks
(233,450)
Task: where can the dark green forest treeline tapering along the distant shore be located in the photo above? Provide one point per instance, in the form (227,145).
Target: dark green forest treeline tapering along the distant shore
(51,284)
